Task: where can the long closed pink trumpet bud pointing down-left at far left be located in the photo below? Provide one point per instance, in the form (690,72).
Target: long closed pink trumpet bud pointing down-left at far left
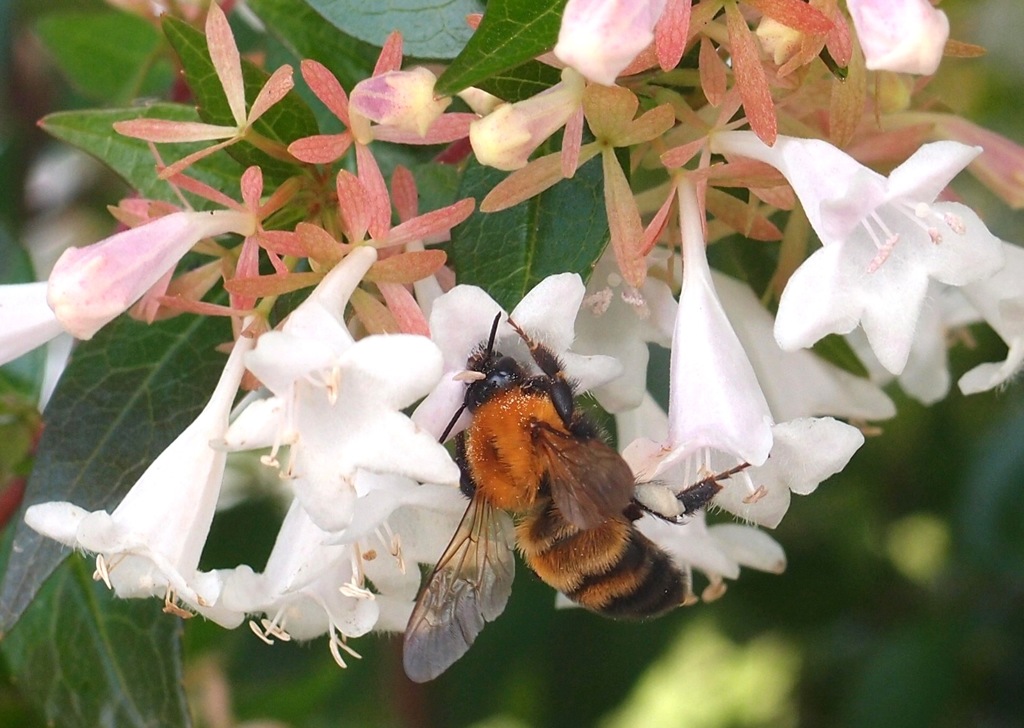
(90,287)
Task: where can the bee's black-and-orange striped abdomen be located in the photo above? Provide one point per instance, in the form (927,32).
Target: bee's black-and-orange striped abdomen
(613,570)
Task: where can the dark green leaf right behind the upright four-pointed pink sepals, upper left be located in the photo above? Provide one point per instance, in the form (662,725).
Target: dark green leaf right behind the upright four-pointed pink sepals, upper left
(285,122)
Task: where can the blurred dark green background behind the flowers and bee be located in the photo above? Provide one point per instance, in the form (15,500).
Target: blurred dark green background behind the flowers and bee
(904,604)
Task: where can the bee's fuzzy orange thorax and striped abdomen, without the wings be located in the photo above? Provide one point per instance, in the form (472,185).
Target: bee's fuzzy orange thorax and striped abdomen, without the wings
(611,569)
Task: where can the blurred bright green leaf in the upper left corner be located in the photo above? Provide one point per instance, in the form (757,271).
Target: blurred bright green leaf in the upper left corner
(109,57)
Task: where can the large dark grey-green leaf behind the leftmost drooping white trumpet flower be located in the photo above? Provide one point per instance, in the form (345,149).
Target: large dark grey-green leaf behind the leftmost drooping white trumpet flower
(126,395)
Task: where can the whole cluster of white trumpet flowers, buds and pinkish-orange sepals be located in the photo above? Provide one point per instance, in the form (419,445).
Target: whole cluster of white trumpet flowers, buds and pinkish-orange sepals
(349,395)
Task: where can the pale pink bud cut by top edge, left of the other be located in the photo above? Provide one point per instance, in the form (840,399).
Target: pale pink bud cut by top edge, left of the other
(600,38)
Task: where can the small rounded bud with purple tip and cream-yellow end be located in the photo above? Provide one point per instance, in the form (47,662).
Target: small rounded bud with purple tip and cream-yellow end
(403,100)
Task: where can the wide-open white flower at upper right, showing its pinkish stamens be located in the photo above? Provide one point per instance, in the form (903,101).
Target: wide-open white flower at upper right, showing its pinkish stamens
(883,240)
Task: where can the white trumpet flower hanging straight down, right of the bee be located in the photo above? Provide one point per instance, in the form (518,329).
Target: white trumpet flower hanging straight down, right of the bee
(718,415)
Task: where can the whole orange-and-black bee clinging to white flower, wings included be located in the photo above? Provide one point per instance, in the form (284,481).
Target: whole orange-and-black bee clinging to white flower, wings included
(532,453)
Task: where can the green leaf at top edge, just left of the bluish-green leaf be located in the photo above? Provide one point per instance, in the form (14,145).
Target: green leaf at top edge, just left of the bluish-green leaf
(308,36)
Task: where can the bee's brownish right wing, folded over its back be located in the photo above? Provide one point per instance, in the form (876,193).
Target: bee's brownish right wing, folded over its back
(590,482)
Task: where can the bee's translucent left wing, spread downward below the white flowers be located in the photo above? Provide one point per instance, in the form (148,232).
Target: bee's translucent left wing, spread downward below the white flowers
(468,587)
